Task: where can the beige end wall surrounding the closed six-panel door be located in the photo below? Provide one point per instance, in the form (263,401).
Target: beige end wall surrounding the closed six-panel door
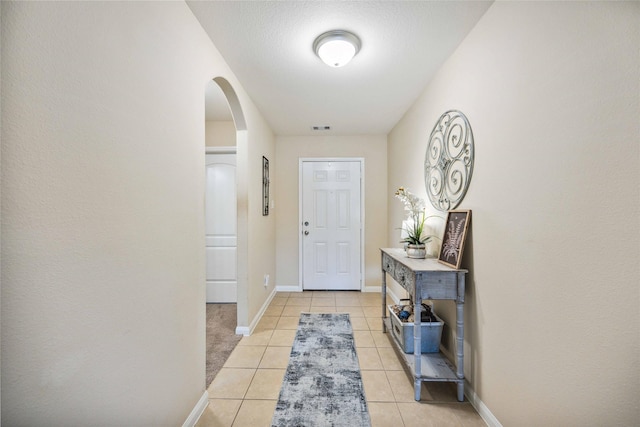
(288,151)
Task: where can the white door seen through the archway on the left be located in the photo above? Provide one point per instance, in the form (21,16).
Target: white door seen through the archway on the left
(221,228)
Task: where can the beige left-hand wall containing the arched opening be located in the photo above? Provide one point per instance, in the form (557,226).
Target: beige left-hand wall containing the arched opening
(103,211)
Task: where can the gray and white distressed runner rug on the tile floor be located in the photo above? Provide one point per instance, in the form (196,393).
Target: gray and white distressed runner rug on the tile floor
(322,386)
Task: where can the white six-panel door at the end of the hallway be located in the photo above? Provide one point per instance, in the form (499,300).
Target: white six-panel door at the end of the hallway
(331,225)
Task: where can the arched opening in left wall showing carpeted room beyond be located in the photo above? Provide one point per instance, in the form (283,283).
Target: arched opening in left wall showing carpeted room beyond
(225,223)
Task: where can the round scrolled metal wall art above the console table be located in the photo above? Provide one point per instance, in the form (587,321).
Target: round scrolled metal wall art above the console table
(448,163)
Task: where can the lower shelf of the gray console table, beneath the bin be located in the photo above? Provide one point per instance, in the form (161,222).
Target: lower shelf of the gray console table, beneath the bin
(434,366)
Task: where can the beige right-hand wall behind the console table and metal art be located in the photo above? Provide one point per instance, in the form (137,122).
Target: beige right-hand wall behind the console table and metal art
(552,94)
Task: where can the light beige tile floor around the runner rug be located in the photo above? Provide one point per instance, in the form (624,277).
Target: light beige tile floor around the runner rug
(245,391)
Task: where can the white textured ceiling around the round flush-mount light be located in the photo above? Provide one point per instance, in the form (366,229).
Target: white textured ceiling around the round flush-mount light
(268,46)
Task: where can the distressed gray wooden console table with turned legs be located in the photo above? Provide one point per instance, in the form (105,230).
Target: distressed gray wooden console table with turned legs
(427,279)
